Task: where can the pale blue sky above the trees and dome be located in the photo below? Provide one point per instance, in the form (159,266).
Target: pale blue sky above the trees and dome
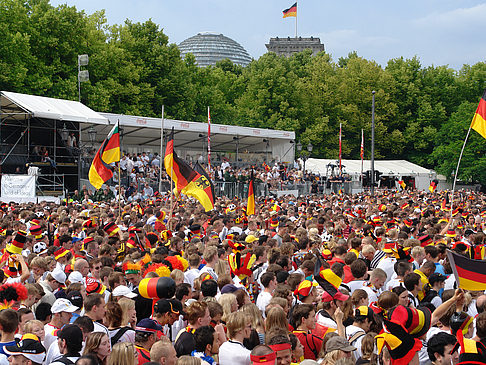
(446,32)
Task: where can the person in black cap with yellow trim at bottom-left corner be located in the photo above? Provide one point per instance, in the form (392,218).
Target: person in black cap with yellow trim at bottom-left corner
(29,351)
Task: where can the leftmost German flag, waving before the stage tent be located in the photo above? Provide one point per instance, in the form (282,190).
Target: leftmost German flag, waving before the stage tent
(109,152)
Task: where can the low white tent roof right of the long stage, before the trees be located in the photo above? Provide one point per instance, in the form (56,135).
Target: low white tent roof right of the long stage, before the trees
(386,167)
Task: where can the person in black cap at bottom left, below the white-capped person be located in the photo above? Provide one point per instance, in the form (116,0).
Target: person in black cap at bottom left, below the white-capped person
(70,342)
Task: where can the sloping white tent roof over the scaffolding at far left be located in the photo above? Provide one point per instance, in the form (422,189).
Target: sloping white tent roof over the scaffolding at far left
(48,108)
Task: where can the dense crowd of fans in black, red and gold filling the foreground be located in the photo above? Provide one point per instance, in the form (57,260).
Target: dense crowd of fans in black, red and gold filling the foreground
(320,279)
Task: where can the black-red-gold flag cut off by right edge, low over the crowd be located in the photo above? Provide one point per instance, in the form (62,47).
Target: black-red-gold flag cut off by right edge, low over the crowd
(470,274)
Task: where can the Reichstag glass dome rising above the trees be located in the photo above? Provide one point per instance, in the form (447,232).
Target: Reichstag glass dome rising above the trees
(209,48)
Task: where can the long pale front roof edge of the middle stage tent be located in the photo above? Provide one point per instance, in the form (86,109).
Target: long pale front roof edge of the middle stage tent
(181,125)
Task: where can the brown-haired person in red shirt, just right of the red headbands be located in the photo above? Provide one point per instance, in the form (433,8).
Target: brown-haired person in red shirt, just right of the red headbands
(304,318)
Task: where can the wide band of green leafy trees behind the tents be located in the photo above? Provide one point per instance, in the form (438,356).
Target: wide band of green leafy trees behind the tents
(422,113)
